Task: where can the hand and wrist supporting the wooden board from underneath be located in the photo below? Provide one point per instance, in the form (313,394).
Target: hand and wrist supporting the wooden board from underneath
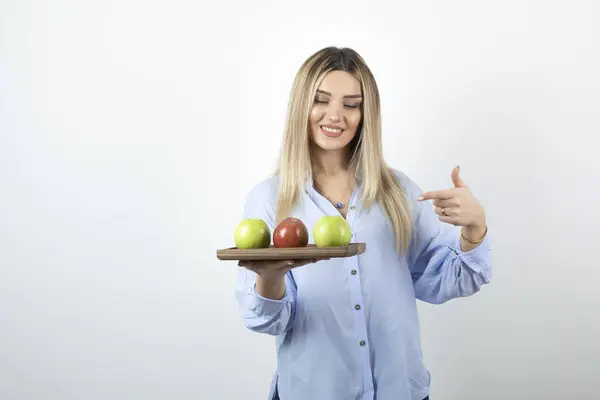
(270,279)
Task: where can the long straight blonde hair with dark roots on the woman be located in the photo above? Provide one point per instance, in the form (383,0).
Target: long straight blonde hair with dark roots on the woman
(379,183)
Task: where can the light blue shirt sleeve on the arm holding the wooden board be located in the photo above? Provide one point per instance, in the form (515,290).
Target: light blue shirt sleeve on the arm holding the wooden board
(261,314)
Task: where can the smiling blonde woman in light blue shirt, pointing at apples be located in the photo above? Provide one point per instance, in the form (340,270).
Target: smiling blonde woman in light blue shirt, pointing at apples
(348,328)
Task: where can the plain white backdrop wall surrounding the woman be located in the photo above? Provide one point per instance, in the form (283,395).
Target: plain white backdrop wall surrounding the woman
(131,131)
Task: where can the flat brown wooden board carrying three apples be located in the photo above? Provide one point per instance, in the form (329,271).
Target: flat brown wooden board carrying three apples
(291,253)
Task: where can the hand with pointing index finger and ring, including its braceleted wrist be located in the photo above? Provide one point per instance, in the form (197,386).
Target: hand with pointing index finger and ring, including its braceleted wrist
(457,205)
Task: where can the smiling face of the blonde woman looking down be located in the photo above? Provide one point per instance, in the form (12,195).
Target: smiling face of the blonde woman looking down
(336,114)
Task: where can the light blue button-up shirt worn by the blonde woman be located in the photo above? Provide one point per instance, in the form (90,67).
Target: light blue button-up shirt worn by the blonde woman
(347,328)
